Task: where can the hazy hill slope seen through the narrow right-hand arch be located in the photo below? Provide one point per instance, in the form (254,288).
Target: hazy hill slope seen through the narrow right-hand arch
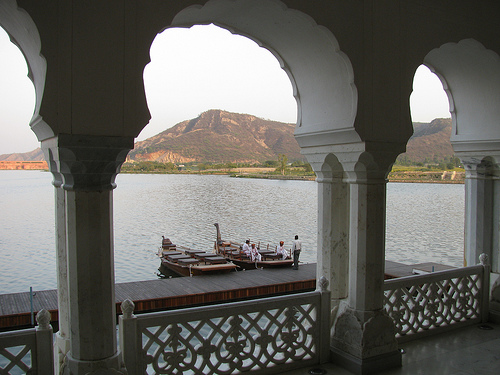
(430,141)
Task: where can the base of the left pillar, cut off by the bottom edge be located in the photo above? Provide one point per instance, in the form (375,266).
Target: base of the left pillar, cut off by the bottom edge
(106,366)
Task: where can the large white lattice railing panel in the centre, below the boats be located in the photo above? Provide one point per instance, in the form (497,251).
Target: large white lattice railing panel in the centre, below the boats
(246,337)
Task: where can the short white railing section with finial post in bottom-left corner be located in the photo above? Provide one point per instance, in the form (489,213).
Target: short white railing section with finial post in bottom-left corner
(28,351)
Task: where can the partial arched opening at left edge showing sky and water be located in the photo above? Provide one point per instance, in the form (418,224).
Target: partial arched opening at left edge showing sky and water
(24,192)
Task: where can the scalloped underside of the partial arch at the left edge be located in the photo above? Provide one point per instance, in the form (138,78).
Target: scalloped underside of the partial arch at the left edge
(24,34)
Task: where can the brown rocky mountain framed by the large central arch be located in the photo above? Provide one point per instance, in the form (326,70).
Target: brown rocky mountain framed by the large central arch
(220,137)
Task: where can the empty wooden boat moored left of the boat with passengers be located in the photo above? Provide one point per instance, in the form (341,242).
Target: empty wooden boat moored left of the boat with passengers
(184,261)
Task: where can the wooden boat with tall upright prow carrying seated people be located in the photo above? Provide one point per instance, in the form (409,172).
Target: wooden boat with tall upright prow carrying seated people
(233,252)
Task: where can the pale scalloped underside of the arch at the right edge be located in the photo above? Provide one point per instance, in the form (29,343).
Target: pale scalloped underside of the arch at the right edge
(471,78)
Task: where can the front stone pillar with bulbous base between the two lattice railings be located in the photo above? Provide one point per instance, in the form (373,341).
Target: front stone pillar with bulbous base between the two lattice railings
(364,336)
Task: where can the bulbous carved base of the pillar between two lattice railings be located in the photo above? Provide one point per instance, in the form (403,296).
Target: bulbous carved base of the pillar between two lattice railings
(364,342)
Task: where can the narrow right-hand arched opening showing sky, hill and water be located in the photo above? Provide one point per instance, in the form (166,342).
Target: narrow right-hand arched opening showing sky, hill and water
(425,220)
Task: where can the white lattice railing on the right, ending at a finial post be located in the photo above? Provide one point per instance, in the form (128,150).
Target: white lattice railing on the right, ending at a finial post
(441,300)
